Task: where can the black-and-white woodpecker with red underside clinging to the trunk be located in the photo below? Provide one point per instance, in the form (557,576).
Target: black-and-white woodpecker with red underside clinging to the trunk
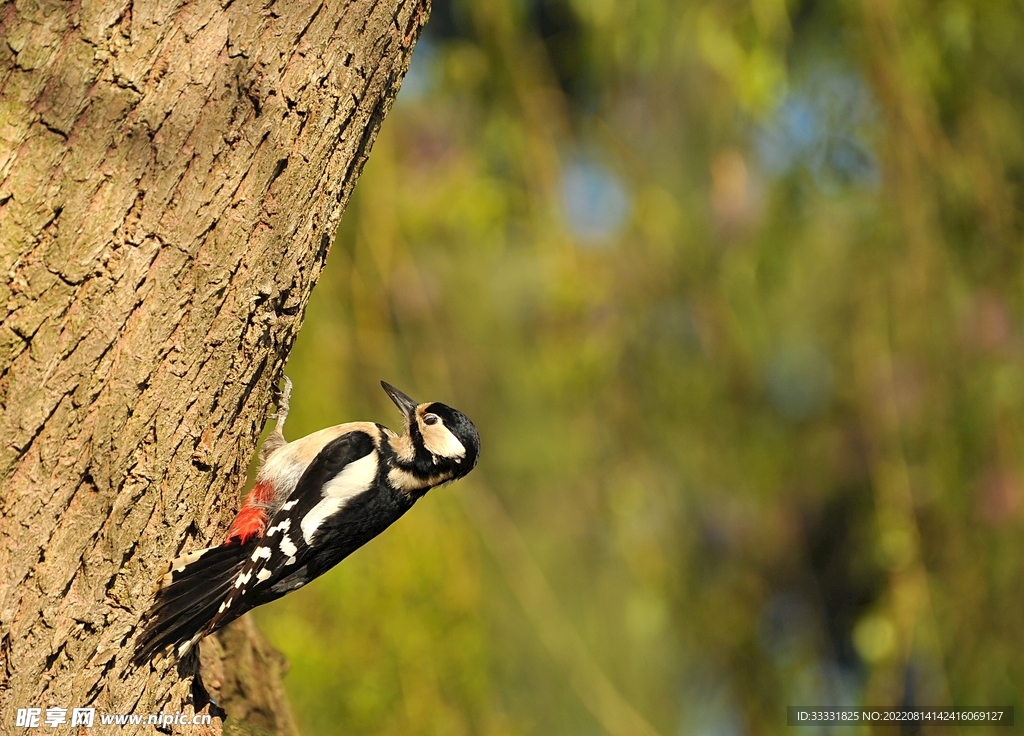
(317,500)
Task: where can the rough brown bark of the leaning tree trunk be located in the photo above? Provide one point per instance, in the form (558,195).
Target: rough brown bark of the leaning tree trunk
(172,178)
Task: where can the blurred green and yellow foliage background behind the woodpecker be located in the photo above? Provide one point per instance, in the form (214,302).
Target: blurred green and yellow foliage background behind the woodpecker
(733,290)
